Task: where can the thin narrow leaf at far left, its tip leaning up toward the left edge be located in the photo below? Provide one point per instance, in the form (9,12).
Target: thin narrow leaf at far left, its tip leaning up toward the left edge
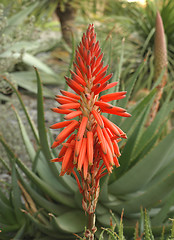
(25,110)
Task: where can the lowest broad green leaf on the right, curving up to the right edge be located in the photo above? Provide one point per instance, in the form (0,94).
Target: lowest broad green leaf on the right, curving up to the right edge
(147,199)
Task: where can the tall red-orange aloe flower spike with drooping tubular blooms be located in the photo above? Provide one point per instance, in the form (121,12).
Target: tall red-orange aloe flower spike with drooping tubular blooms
(91,142)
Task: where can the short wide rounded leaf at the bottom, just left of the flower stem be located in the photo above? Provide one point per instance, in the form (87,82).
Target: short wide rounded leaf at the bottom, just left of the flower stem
(72,221)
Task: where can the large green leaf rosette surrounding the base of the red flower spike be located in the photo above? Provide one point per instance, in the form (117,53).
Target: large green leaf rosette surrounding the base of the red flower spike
(51,205)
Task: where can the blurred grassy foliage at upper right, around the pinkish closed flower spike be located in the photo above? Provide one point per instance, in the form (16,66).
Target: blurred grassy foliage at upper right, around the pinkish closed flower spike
(136,24)
